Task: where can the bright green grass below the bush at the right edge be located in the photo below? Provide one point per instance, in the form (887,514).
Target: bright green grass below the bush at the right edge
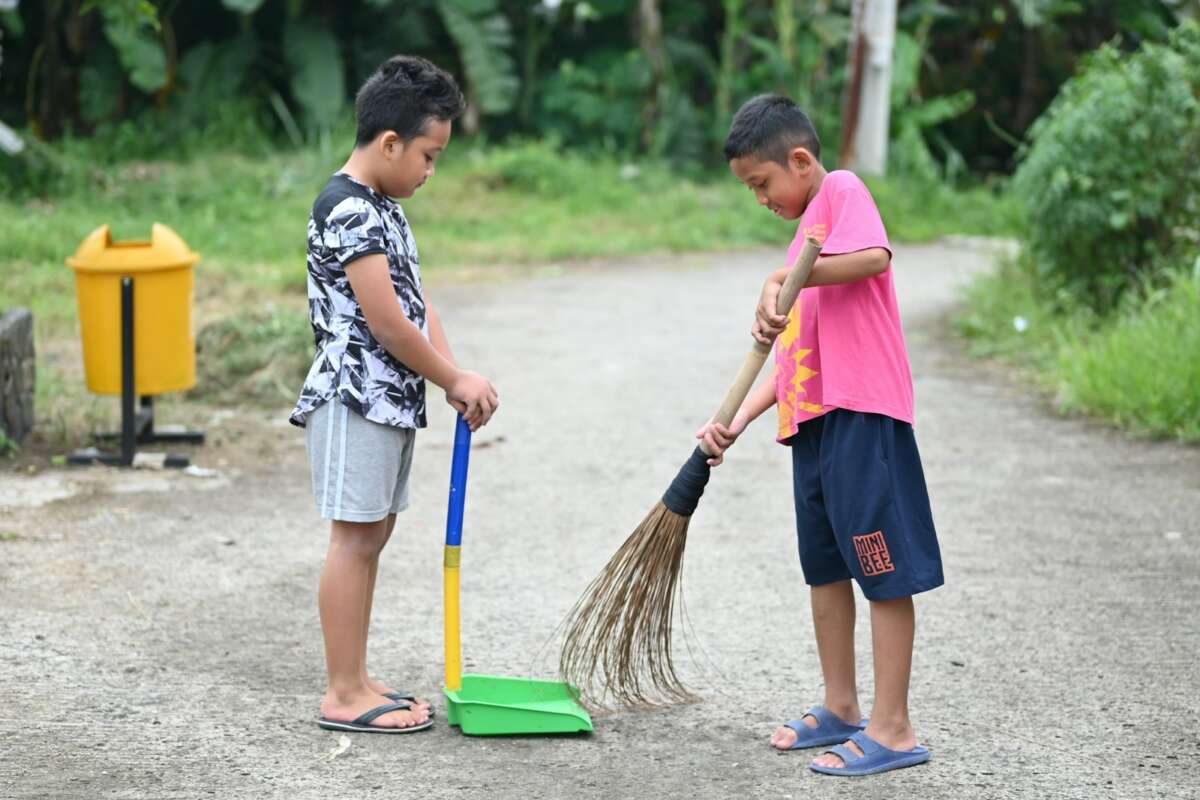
(1138,369)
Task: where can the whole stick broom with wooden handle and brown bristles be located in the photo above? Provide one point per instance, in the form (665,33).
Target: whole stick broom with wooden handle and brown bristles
(619,634)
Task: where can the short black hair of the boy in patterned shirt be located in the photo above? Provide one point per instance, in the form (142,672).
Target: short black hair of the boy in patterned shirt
(404,95)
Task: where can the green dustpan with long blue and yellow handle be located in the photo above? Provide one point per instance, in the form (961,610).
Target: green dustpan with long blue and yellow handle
(489,706)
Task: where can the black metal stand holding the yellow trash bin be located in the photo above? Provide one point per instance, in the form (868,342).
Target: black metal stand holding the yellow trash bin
(137,425)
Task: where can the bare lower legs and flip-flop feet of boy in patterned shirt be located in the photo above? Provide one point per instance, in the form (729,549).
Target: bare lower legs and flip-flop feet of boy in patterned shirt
(344,599)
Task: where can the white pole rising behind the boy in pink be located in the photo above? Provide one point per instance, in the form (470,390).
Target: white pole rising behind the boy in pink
(872,135)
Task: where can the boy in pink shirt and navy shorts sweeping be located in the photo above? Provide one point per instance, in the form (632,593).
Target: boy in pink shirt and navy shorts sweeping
(843,390)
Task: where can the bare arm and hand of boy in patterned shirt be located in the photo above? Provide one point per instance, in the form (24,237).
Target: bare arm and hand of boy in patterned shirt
(469,393)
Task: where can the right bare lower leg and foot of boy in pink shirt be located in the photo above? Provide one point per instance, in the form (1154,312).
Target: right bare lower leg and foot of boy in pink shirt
(893,628)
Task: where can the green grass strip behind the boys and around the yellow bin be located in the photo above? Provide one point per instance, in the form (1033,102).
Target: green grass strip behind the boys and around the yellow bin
(245,213)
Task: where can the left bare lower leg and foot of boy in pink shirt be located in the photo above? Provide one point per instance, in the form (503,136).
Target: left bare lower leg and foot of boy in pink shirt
(833,621)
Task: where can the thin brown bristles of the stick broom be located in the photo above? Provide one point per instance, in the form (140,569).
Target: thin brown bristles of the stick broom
(619,635)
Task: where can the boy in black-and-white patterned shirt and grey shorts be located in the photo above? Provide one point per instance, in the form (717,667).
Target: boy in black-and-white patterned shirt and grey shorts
(379,340)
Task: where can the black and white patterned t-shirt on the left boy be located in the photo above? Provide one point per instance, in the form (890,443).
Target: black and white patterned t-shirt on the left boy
(350,220)
